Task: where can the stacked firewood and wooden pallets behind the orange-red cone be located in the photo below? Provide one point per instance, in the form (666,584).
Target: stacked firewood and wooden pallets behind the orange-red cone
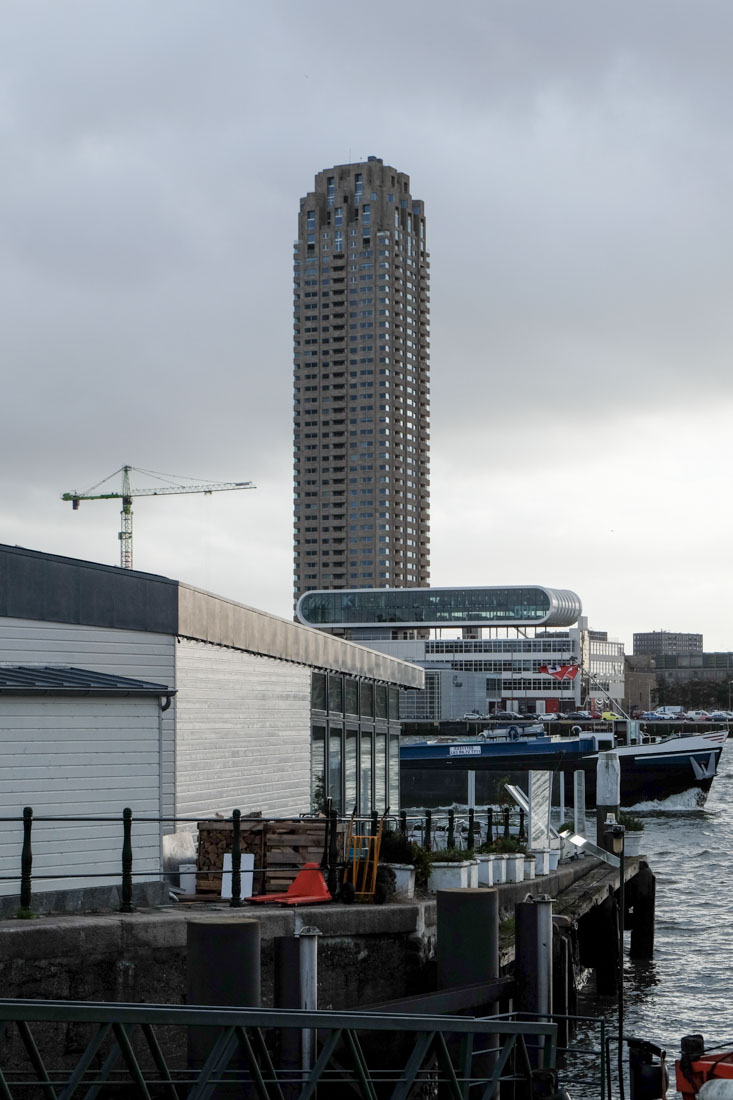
(280,851)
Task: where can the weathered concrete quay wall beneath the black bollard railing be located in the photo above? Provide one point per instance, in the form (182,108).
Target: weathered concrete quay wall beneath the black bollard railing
(367,954)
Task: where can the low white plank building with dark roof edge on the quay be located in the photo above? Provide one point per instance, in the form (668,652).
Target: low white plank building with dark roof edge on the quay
(238,709)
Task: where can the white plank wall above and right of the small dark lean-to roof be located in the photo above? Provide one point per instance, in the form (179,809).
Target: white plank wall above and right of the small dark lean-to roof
(123,653)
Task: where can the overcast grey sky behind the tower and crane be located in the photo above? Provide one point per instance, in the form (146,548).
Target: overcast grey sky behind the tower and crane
(576,164)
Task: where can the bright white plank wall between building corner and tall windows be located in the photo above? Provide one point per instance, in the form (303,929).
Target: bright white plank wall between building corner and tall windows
(244,732)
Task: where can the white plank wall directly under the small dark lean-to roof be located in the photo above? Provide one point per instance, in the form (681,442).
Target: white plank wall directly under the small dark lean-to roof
(79,757)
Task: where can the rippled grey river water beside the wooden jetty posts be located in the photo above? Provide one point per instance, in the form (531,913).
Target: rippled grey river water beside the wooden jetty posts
(688,987)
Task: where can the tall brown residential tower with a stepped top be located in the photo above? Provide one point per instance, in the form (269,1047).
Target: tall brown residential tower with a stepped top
(362,400)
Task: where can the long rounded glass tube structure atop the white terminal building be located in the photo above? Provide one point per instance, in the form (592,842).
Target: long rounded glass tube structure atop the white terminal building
(518,606)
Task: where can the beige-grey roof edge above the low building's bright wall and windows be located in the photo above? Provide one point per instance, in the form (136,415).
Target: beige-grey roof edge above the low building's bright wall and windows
(204,617)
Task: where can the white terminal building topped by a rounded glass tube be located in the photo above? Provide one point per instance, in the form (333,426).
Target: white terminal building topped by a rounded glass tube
(523,648)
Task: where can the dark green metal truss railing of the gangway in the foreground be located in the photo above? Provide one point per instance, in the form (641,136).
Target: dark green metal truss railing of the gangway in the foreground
(188,1053)
